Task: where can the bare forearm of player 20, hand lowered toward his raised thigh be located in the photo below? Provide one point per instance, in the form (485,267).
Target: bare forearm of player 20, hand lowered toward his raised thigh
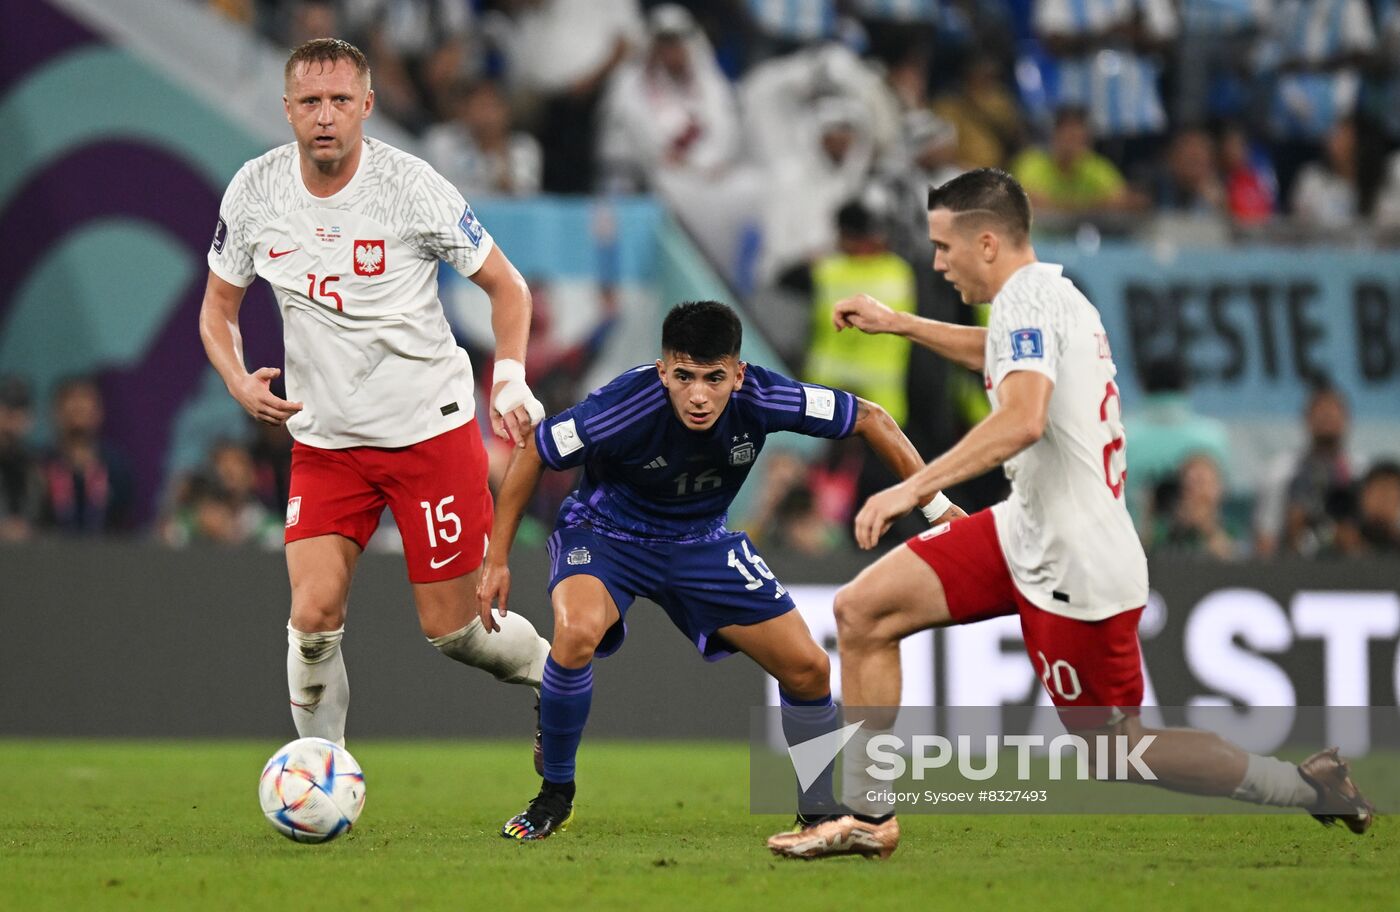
(1017,422)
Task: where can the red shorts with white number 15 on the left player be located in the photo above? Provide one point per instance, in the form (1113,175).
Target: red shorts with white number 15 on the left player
(436,488)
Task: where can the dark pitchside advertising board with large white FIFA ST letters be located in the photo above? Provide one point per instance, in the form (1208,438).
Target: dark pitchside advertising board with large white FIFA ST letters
(1235,637)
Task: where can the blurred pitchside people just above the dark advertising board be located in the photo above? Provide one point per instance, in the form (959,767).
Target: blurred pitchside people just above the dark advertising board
(1322,501)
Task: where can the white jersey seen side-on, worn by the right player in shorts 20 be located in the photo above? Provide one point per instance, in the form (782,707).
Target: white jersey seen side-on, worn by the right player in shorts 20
(1065,530)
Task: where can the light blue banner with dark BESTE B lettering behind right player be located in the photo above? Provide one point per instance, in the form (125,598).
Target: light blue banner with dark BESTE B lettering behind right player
(1256,326)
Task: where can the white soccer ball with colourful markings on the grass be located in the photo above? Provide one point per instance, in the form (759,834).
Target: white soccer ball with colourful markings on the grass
(311,791)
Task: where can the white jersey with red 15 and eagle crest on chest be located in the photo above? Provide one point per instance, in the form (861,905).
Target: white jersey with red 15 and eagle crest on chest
(369,350)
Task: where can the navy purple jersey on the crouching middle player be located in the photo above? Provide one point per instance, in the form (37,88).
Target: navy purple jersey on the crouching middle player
(649,477)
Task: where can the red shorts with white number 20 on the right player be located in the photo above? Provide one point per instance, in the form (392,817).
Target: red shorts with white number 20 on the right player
(1091,669)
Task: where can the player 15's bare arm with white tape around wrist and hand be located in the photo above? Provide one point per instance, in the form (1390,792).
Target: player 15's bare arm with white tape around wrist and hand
(514,408)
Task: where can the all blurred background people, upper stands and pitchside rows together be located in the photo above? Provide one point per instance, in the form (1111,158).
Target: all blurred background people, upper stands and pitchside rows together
(796,141)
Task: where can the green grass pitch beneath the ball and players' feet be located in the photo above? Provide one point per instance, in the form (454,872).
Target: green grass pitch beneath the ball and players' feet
(176,826)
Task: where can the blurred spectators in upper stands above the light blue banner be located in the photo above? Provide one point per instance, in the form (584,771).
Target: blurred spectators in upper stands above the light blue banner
(1263,117)
